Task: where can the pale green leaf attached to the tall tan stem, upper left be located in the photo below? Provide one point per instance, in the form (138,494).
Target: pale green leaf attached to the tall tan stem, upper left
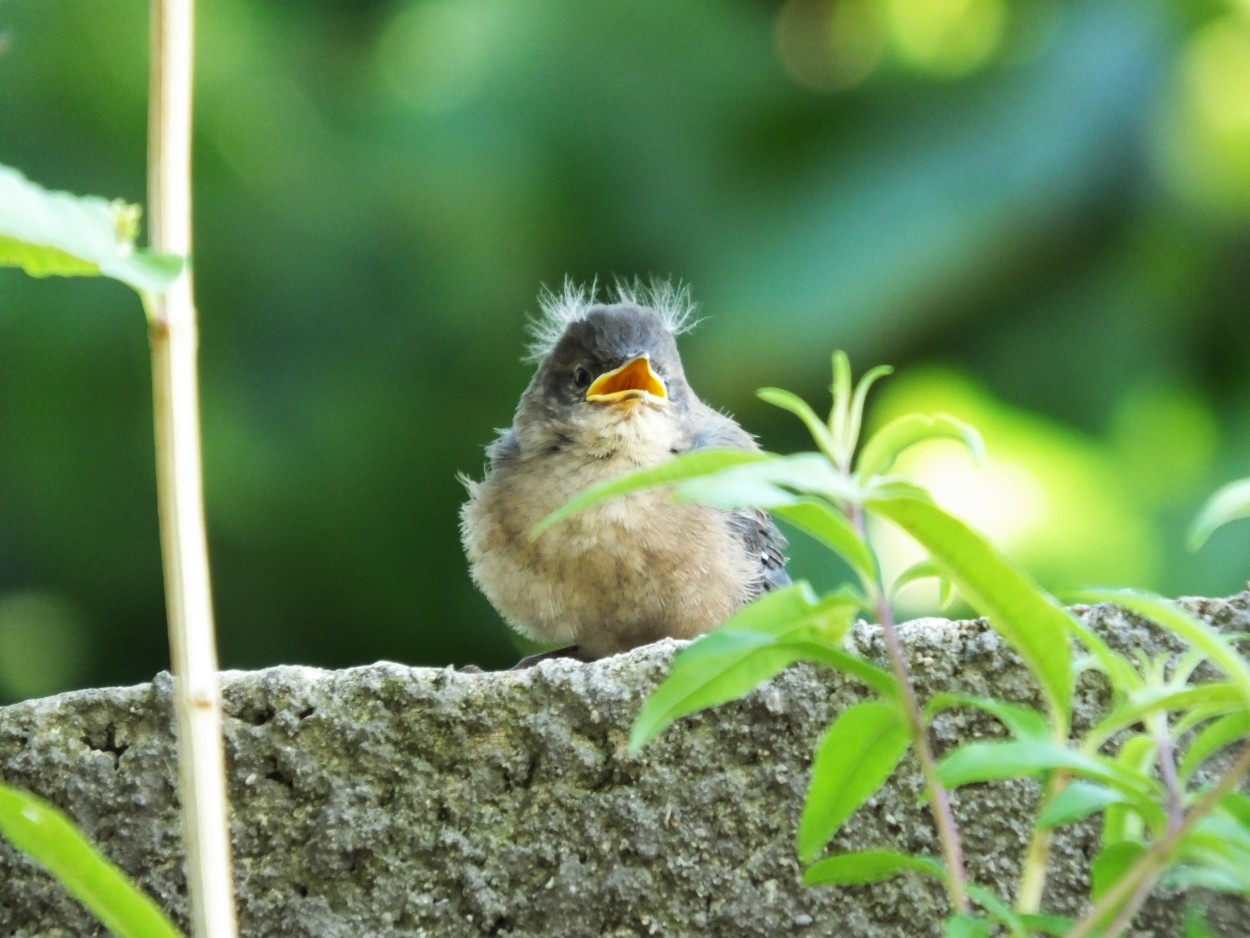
(48,233)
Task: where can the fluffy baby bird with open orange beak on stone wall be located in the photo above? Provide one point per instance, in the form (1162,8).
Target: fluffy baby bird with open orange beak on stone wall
(611,397)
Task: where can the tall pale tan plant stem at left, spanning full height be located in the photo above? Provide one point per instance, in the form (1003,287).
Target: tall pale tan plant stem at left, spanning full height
(184,546)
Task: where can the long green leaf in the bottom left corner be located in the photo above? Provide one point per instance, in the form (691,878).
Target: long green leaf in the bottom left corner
(52,840)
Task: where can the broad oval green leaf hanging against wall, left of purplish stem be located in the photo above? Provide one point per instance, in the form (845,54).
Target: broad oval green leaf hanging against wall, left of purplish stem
(858,754)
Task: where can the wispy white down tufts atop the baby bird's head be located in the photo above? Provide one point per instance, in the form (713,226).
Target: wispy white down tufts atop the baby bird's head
(671,301)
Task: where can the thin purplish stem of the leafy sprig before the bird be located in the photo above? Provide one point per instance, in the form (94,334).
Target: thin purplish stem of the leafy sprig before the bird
(944,819)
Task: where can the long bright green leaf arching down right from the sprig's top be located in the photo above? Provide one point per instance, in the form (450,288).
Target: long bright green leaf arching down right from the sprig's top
(1028,617)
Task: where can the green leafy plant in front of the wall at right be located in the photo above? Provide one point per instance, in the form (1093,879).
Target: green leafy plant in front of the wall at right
(1159,822)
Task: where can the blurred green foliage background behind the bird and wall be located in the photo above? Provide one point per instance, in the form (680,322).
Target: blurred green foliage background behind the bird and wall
(1039,212)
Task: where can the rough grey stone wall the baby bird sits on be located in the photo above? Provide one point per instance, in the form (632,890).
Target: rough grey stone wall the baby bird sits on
(393,801)
